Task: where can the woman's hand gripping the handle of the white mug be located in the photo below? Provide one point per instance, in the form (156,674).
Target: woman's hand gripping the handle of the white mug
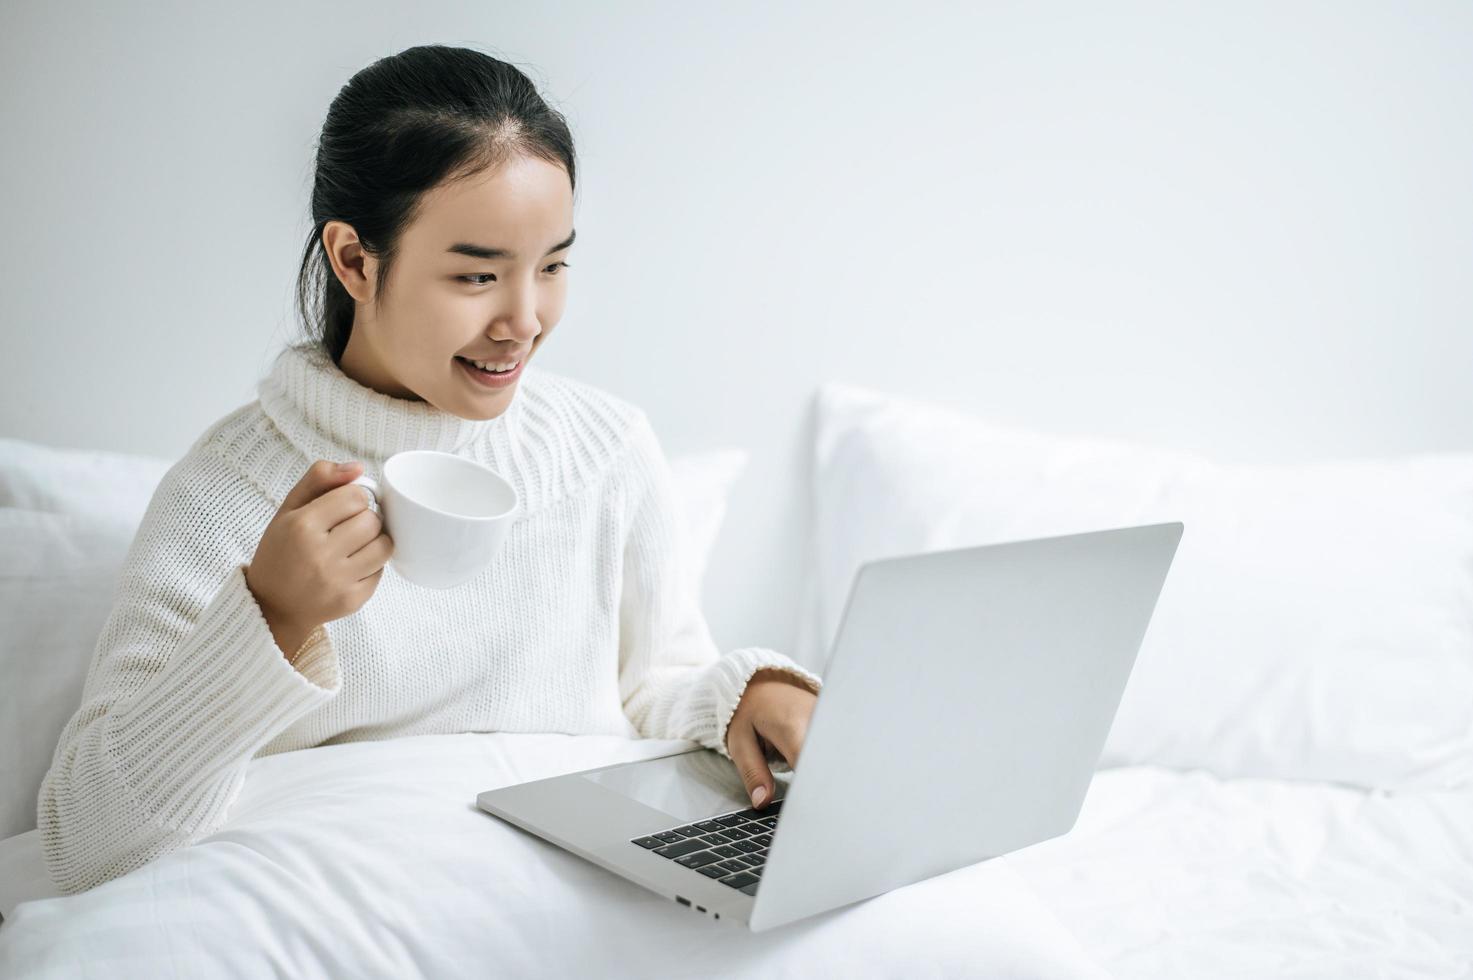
(320,558)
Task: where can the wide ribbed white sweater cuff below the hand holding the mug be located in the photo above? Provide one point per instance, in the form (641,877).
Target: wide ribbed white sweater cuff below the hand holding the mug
(223,692)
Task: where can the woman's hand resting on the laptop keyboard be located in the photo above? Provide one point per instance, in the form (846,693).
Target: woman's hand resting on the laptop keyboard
(771,717)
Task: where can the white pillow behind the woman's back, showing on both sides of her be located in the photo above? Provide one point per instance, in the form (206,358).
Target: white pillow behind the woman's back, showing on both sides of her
(67,521)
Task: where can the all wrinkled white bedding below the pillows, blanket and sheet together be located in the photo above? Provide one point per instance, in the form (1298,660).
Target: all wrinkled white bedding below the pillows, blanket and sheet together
(372,860)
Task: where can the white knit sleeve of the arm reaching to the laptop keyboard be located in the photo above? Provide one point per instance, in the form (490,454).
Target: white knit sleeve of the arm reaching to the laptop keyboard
(672,679)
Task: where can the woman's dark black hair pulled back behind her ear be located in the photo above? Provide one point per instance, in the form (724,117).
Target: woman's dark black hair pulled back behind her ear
(398,129)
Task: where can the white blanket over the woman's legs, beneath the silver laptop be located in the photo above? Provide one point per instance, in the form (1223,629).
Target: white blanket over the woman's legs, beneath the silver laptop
(372,860)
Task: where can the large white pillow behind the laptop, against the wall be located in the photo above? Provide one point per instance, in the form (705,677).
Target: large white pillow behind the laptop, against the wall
(1318,621)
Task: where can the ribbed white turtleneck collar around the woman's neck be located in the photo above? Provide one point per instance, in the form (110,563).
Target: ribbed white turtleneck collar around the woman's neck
(329,415)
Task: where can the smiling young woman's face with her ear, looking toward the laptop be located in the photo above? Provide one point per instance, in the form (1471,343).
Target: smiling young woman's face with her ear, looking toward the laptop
(479,275)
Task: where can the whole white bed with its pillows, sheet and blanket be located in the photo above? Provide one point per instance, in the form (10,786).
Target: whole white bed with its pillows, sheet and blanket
(1287,792)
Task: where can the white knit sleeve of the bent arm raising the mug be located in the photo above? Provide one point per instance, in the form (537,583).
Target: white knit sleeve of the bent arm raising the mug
(185,686)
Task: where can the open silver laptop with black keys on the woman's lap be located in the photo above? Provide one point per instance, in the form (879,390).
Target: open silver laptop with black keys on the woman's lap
(964,710)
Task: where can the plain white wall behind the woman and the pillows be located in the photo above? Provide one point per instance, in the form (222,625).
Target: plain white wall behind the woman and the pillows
(1244,229)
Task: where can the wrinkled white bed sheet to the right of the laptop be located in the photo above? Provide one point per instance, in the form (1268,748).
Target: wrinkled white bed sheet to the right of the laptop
(1184,875)
